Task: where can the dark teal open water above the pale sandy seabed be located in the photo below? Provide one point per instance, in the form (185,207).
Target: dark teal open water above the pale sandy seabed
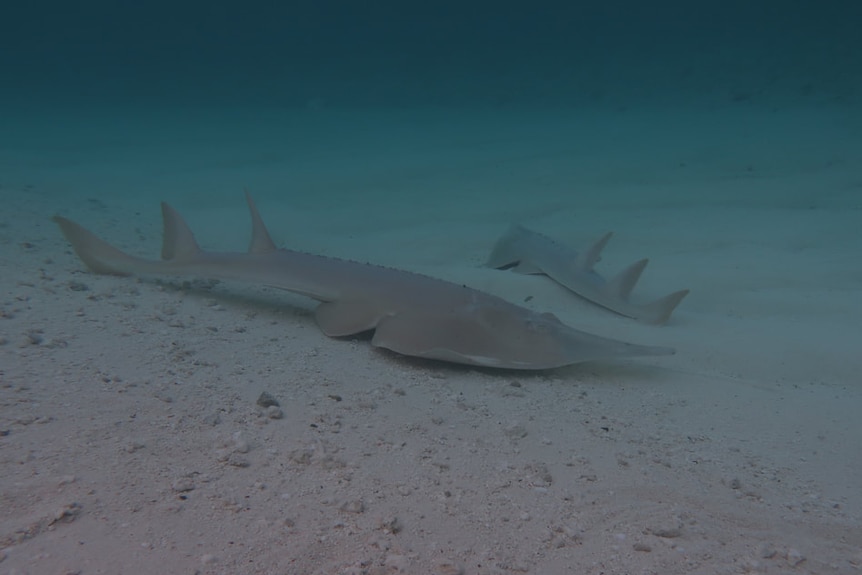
(403,54)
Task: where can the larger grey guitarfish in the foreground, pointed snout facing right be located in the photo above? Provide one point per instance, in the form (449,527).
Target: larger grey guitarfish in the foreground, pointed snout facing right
(410,314)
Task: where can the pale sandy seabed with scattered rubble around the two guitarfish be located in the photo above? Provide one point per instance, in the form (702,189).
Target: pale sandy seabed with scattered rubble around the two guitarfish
(132,442)
